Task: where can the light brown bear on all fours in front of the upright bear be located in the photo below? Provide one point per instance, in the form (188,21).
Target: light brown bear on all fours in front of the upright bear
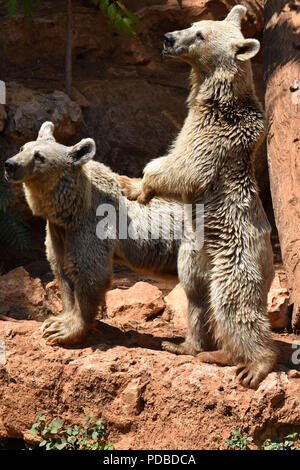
(65,187)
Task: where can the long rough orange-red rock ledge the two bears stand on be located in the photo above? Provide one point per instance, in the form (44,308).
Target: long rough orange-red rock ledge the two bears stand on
(148,399)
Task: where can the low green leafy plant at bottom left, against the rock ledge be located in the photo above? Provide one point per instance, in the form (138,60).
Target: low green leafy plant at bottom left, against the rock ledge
(90,436)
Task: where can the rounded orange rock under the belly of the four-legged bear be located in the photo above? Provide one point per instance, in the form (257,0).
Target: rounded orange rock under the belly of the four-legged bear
(139,302)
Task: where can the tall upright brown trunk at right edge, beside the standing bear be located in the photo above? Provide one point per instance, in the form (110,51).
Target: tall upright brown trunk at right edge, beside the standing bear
(281,53)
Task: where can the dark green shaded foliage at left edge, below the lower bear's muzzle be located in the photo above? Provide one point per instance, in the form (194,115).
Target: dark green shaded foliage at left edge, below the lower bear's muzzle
(14,230)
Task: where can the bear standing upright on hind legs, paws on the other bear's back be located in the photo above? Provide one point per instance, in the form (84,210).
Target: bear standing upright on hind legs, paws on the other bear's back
(212,162)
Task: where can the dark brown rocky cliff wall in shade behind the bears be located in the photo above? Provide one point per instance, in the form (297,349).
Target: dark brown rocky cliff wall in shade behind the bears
(133,101)
